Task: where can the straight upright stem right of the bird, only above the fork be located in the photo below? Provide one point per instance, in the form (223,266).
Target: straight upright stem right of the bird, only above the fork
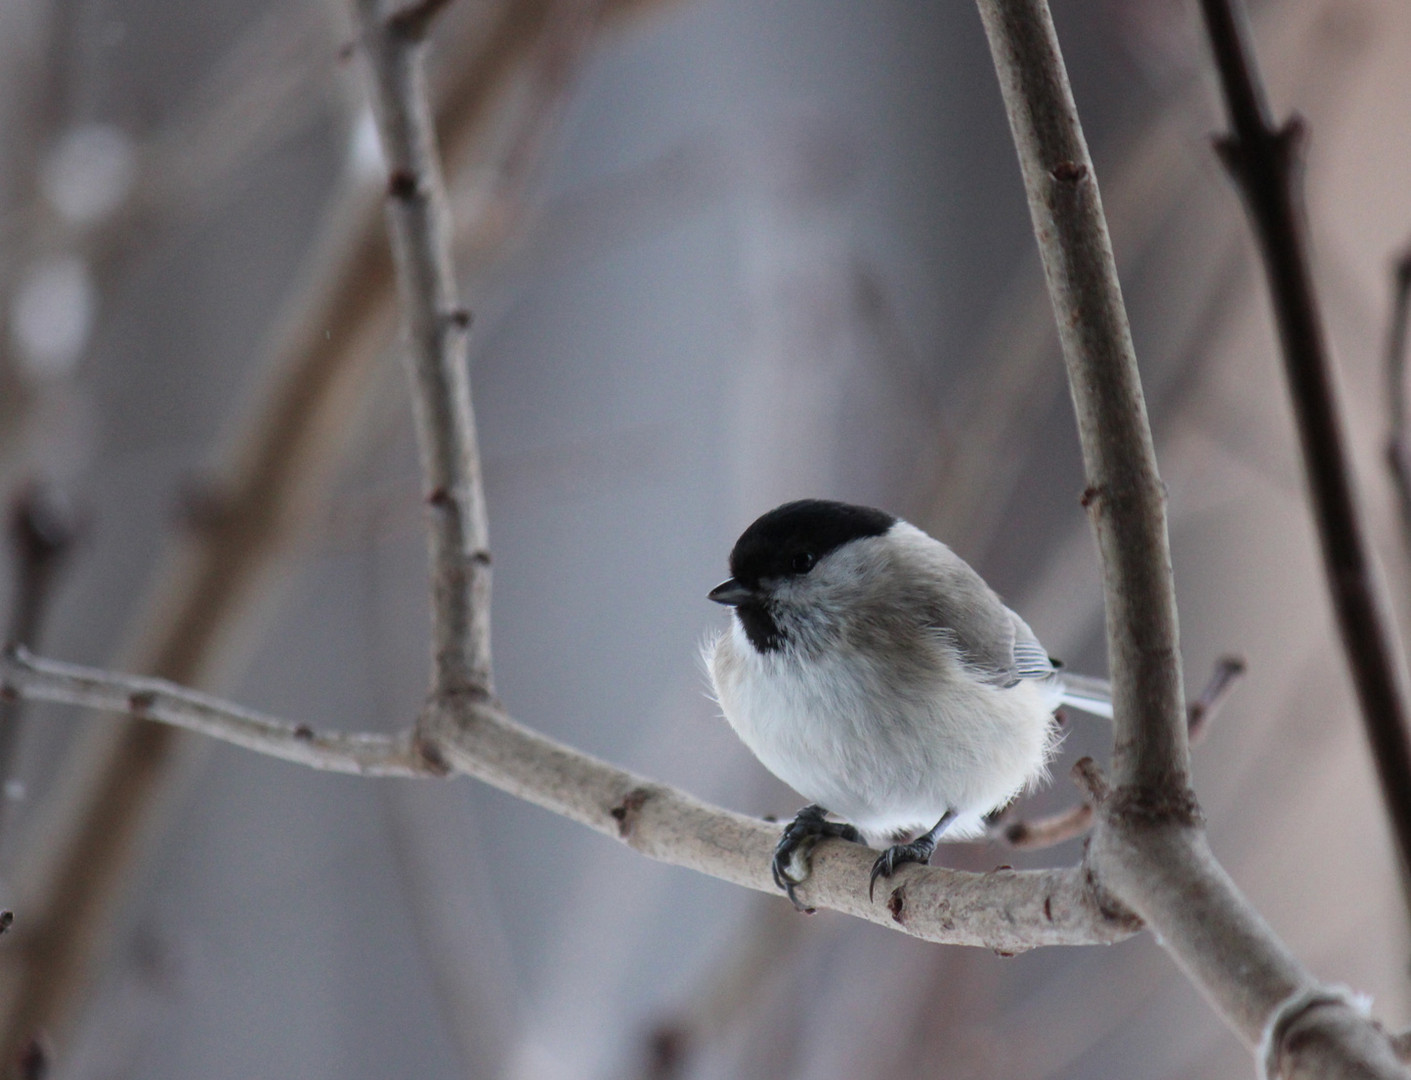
(1125,496)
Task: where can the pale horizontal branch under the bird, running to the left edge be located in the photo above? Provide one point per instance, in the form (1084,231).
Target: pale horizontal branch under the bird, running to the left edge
(1005,911)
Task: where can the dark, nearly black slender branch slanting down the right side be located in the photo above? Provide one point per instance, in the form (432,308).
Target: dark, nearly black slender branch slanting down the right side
(1266,164)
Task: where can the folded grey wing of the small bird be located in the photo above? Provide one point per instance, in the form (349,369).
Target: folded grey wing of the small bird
(988,639)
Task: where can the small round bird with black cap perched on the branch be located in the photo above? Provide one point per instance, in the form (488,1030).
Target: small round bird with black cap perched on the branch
(871,670)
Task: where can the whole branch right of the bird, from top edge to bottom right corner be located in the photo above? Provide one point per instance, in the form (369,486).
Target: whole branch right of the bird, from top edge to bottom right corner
(1149,848)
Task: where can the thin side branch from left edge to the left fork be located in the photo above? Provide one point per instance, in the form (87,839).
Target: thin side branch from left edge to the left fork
(157,700)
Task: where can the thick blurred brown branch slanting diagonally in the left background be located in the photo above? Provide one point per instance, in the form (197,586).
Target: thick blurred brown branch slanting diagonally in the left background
(321,359)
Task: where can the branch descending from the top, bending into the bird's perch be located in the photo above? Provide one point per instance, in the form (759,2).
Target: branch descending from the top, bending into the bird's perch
(462,725)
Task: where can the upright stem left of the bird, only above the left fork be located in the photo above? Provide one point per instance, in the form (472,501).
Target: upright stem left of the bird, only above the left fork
(435,325)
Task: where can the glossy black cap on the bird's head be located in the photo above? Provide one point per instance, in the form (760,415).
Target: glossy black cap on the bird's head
(794,537)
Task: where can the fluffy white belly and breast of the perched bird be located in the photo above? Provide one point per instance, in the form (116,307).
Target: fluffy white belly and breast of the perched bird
(890,759)
